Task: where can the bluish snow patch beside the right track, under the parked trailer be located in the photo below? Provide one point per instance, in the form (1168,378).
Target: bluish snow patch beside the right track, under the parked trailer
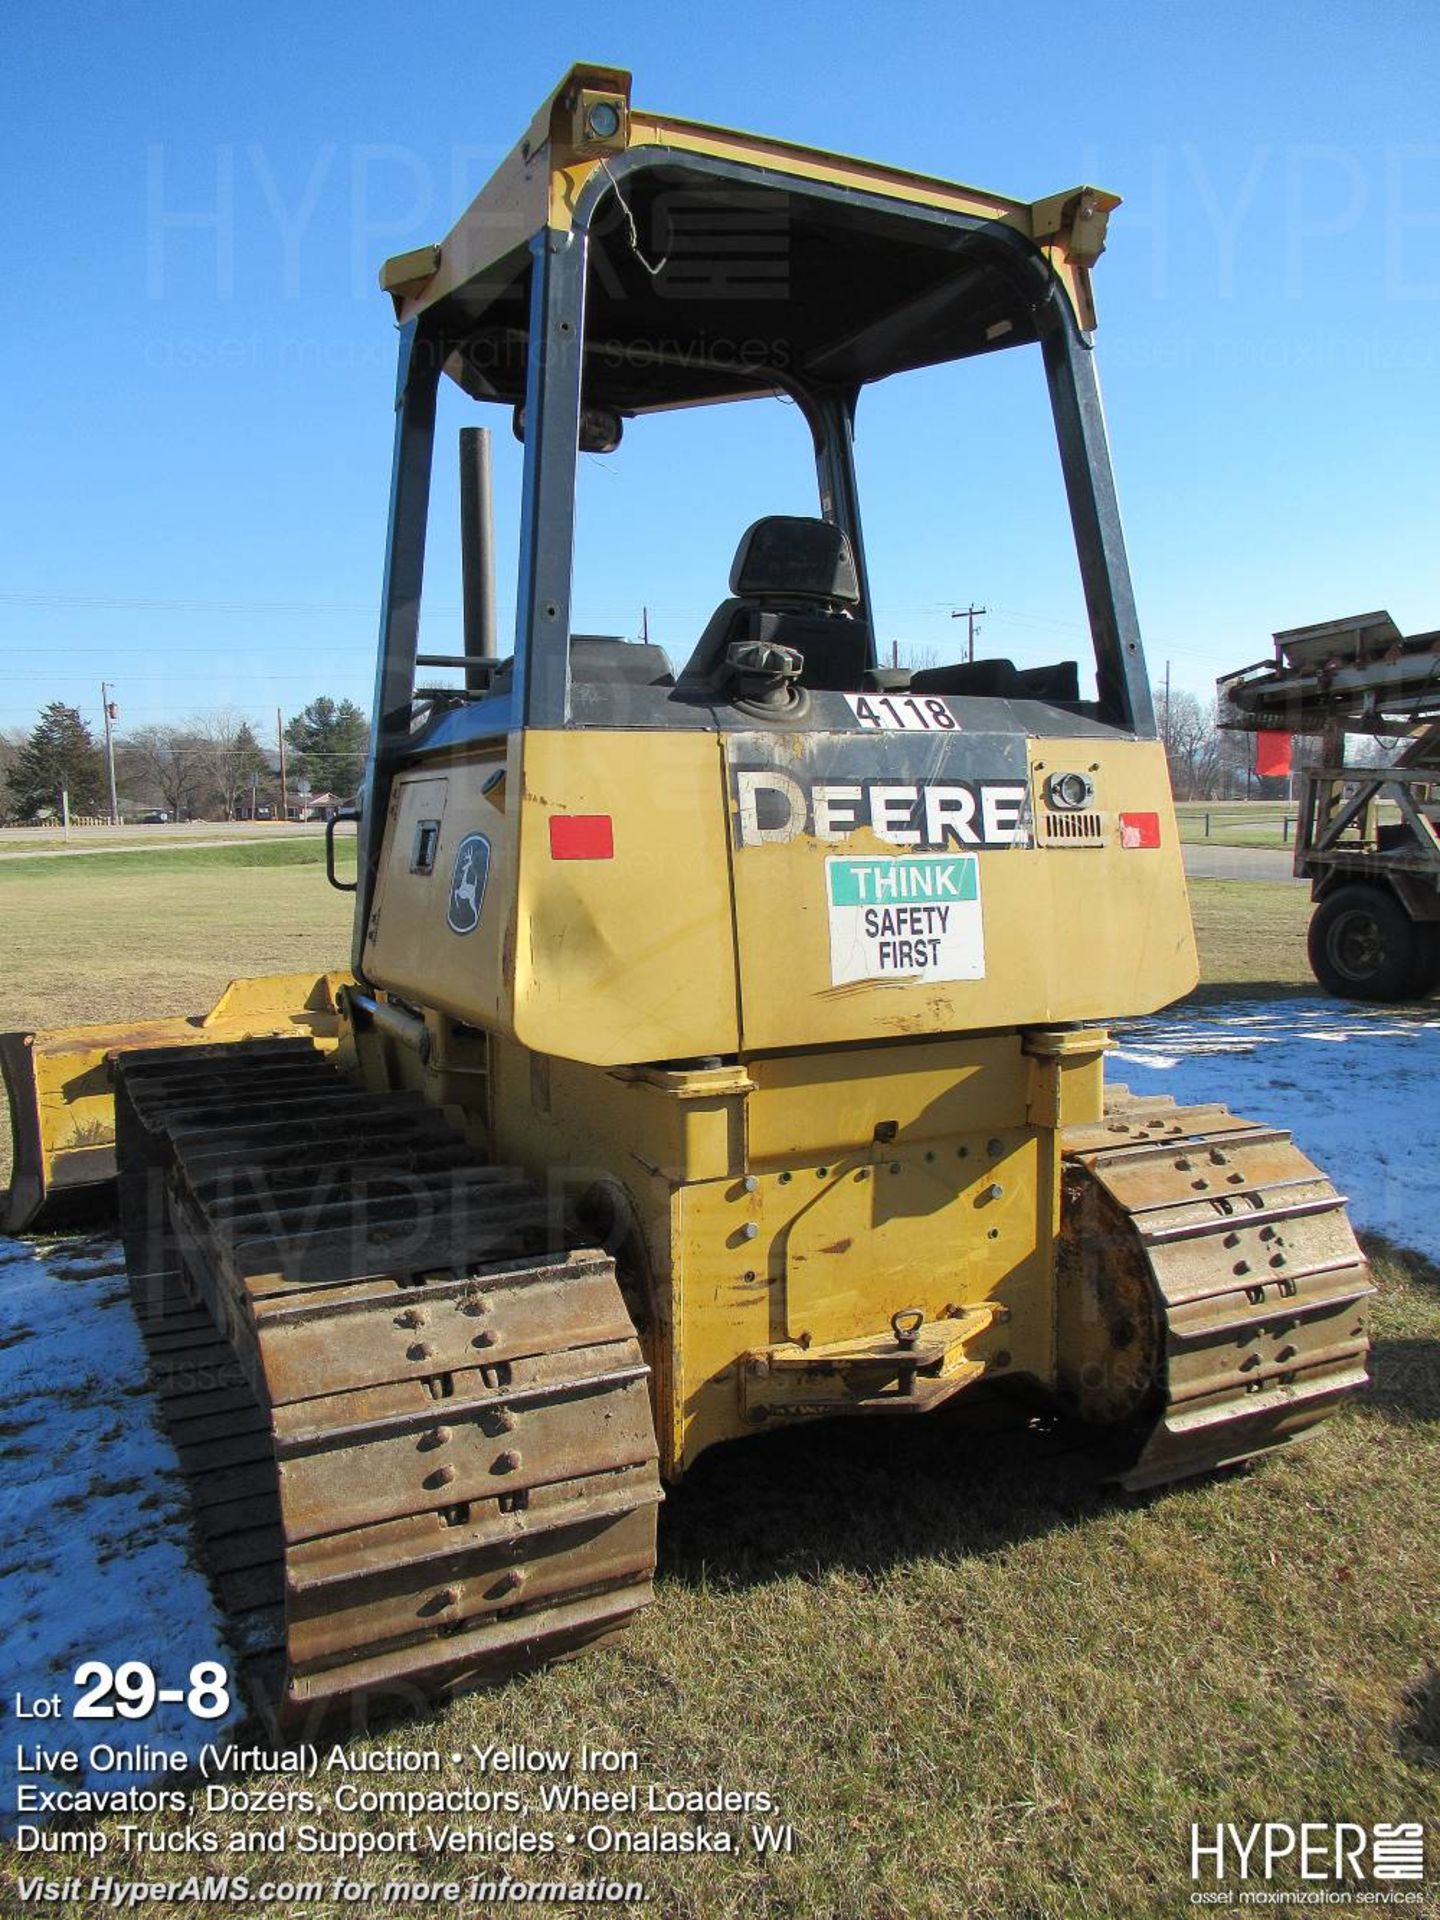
(1356,1086)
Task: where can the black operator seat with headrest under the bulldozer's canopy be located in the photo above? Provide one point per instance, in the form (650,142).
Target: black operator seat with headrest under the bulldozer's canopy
(794,585)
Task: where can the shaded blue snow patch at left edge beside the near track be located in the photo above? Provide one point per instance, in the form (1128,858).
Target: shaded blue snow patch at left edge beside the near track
(93,1531)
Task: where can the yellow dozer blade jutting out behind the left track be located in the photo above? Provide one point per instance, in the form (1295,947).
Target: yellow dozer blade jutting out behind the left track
(59,1084)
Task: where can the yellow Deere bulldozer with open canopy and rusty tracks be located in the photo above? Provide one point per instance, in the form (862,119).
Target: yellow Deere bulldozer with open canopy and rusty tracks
(723,1044)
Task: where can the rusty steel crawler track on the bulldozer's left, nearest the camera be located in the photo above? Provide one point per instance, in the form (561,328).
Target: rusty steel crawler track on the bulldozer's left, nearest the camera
(416,1422)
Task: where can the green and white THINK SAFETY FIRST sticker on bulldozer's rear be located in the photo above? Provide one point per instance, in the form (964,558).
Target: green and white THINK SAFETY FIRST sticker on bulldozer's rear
(909,919)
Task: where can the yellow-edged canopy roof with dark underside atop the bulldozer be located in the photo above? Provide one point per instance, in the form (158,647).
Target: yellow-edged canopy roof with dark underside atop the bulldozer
(725,266)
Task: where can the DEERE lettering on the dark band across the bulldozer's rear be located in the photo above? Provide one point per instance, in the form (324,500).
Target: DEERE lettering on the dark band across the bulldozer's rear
(773,809)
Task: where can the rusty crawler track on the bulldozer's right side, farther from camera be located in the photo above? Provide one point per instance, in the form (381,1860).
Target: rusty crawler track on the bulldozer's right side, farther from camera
(1212,1293)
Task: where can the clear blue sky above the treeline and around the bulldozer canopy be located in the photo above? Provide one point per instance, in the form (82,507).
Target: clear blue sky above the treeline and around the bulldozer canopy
(201,414)
